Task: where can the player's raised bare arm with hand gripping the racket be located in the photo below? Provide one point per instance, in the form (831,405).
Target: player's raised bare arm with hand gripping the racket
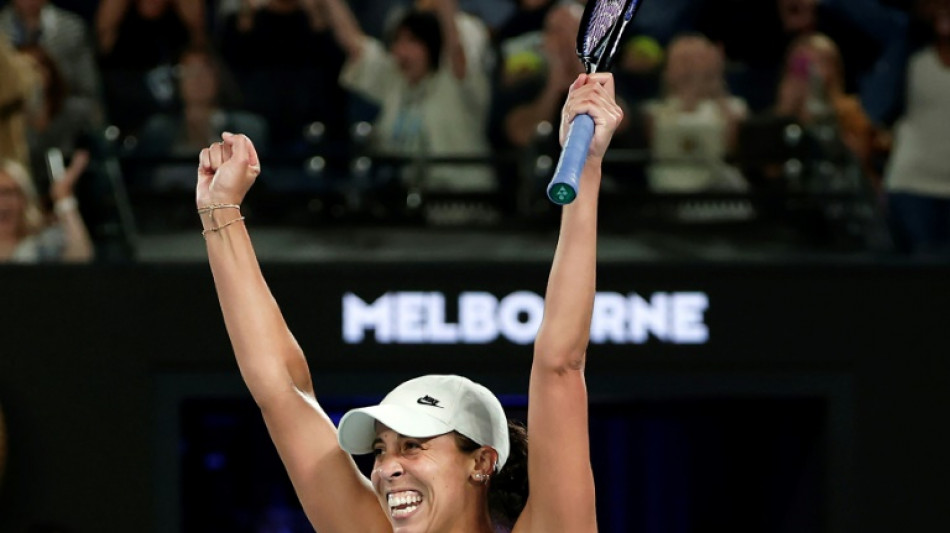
(559,471)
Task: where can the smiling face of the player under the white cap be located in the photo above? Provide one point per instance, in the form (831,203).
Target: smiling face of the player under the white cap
(421,483)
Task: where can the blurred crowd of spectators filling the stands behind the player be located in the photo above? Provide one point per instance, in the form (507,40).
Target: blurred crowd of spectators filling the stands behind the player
(103,100)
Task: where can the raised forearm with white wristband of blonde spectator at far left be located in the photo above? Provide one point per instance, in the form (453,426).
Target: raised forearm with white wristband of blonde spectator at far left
(79,246)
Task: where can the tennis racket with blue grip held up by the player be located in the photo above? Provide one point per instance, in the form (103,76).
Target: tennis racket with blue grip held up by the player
(602,25)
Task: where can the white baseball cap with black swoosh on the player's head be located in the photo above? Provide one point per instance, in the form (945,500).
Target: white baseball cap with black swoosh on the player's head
(429,406)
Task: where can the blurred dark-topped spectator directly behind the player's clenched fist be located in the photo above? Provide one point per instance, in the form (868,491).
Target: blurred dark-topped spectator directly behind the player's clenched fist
(202,119)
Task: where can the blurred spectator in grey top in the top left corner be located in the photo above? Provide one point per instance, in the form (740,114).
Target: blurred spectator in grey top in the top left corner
(63,35)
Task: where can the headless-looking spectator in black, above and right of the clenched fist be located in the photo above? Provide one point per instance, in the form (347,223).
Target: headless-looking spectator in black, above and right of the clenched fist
(287,64)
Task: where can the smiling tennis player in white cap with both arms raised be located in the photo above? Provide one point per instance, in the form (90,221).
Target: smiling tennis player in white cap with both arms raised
(441,443)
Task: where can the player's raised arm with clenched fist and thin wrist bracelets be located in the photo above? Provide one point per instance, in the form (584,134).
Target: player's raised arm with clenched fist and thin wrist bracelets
(335,496)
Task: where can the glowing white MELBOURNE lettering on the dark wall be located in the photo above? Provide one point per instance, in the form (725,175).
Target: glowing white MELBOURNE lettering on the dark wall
(482,317)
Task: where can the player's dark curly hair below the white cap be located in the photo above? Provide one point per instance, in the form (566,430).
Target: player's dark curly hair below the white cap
(508,489)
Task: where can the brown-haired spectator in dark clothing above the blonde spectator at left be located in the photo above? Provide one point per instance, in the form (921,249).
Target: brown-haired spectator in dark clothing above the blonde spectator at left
(56,120)
